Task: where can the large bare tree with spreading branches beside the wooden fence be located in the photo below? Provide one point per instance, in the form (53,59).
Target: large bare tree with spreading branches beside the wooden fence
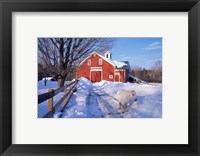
(62,55)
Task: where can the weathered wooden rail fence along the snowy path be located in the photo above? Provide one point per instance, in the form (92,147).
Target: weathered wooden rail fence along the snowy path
(68,91)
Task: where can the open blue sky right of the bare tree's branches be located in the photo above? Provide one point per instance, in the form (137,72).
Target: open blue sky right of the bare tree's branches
(143,52)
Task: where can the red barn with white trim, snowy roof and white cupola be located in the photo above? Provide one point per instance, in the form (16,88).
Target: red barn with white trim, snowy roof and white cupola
(97,67)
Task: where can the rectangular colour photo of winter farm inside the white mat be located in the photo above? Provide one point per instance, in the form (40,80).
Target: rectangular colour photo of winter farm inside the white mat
(98,83)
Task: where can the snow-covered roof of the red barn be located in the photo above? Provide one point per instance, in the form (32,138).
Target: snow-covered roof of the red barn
(116,64)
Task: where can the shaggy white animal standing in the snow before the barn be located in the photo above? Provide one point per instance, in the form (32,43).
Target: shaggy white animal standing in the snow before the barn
(125,98)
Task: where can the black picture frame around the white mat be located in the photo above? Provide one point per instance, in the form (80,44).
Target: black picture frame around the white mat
(9,6)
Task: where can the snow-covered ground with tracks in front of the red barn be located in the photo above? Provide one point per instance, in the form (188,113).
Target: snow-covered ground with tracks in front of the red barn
(99,100)
